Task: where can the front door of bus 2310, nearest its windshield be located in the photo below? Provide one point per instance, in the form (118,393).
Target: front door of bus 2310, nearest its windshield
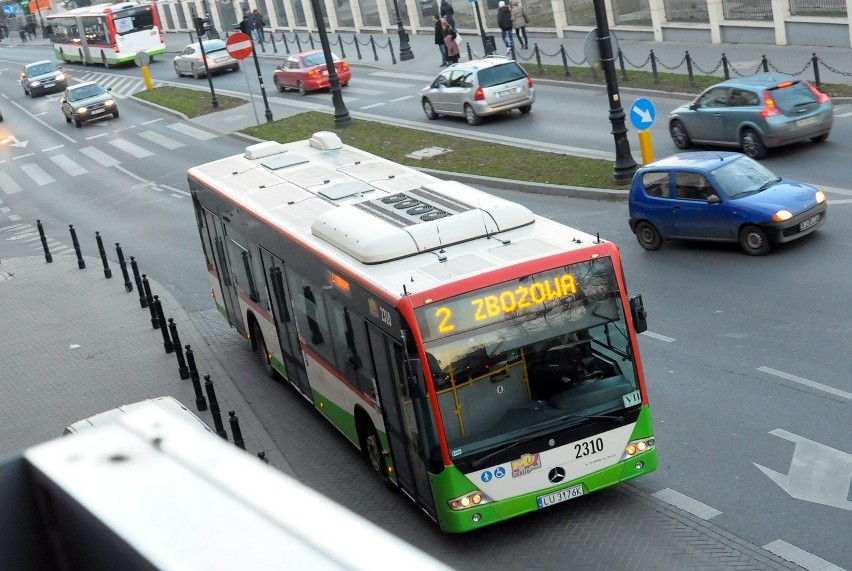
(409,461)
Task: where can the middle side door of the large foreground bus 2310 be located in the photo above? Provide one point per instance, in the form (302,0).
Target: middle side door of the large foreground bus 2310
(285,324)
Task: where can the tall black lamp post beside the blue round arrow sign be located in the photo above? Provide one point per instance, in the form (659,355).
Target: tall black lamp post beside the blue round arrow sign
(625,166)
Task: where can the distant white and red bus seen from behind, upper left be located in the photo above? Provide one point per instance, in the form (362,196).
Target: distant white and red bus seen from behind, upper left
(108,34)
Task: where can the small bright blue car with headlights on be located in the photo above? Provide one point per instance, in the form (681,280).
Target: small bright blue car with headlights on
(721,196)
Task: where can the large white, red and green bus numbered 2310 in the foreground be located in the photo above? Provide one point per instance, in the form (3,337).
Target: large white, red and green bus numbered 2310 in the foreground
(484,359)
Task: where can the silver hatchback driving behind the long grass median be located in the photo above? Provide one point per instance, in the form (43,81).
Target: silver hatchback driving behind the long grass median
(478,88)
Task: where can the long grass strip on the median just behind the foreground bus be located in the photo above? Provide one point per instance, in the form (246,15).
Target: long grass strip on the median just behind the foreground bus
(467,156)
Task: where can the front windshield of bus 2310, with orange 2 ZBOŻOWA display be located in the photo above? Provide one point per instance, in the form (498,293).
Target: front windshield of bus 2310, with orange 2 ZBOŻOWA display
(530,357)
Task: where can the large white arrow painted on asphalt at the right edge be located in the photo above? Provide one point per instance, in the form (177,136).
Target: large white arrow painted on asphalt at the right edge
(818,473)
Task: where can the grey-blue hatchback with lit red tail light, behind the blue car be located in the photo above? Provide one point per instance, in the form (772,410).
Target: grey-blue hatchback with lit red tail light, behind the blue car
(754,113)
